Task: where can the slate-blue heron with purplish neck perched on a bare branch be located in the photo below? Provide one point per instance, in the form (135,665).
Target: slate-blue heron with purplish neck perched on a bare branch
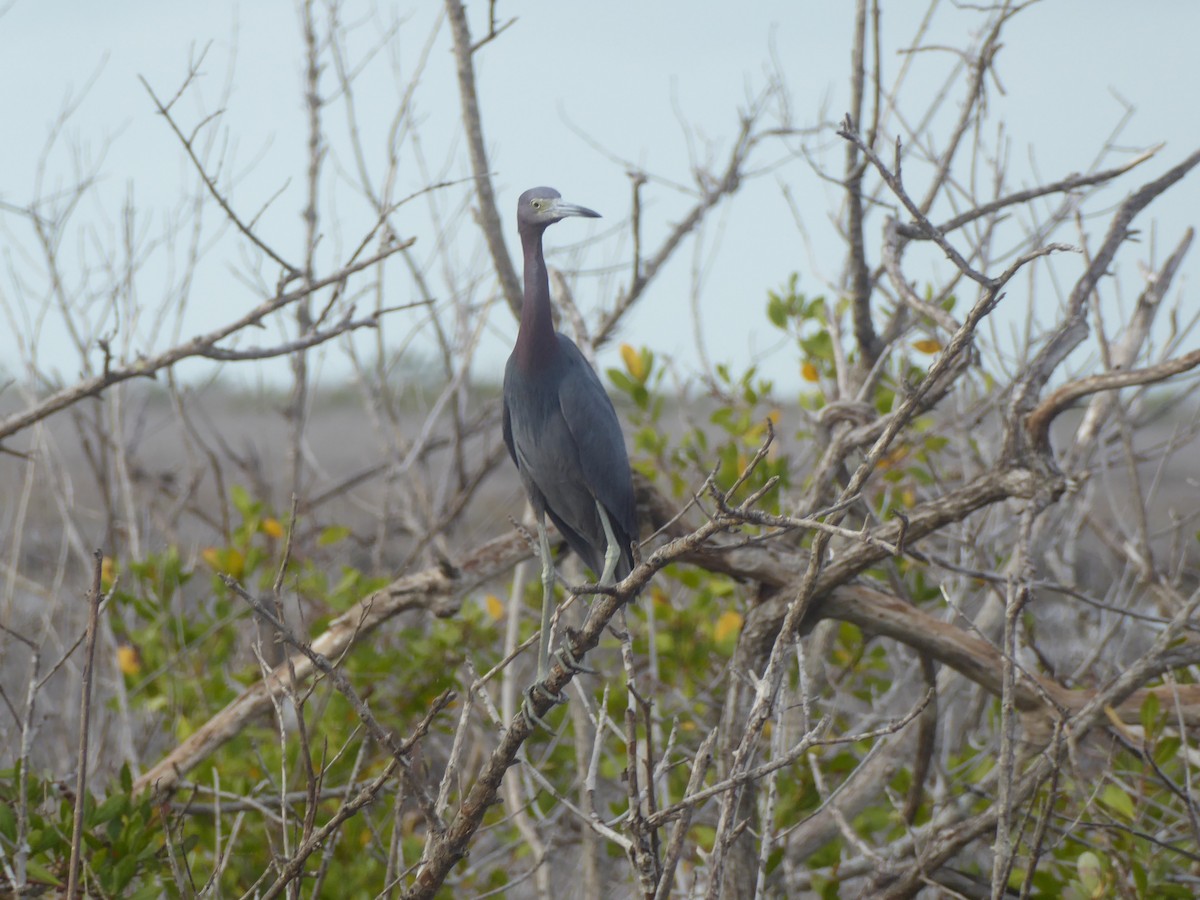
(562,430)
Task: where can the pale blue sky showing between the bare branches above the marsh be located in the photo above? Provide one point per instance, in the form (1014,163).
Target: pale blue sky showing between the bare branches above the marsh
(625,73)
